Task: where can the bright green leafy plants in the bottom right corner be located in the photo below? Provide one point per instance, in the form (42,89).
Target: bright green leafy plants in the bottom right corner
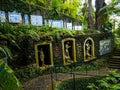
(110,82)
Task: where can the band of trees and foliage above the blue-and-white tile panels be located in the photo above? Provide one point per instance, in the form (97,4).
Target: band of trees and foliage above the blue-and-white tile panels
(75,9)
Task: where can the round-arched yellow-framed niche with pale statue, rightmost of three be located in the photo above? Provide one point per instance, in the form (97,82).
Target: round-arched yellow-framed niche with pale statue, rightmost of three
(89,52)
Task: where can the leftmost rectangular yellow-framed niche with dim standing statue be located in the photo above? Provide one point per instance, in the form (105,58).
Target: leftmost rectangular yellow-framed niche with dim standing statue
(43,54)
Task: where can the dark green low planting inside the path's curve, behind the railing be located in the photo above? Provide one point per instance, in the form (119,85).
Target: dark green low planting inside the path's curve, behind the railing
(77,83)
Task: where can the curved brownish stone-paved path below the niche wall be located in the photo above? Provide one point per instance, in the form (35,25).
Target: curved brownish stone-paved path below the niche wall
(46,82)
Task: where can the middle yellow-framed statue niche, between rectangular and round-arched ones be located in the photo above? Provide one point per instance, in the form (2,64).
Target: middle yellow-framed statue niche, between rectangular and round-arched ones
(68,50)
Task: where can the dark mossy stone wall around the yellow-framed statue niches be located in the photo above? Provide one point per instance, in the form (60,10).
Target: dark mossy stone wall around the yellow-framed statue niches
(29,58)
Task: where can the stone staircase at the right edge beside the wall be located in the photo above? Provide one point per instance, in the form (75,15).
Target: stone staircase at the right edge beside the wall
(114,61)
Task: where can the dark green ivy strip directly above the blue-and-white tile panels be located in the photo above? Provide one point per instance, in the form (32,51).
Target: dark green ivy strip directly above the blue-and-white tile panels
(27,8)
